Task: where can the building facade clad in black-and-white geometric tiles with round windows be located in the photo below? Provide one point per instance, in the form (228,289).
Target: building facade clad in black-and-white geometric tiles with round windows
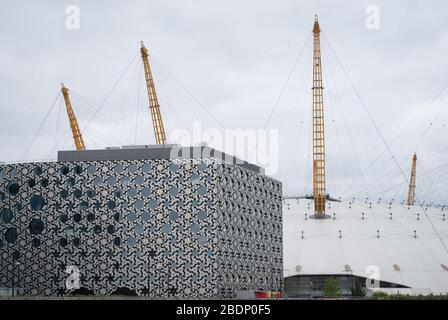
(153,225)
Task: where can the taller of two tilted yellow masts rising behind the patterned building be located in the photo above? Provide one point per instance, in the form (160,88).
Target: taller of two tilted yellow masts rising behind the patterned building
(157,122)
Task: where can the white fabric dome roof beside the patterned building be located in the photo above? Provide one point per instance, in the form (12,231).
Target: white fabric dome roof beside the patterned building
(323,250)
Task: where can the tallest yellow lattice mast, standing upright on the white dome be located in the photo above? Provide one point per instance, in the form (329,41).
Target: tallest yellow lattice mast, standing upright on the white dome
(319,186)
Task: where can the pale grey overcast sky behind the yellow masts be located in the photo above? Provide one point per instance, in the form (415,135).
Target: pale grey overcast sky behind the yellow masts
(224,63)
